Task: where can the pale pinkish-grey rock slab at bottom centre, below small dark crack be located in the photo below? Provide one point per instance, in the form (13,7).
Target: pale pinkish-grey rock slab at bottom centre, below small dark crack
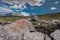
(36,36)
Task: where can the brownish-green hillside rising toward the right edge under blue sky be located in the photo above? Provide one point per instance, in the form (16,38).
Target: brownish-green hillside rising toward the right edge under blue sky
(50,16)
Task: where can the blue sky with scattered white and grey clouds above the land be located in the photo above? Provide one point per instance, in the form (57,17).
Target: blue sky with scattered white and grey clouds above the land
(29,6)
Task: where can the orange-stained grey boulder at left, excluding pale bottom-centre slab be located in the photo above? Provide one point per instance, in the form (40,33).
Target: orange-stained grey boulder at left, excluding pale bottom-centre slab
(16,30)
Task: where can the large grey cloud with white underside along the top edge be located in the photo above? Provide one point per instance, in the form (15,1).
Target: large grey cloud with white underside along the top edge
(31,2)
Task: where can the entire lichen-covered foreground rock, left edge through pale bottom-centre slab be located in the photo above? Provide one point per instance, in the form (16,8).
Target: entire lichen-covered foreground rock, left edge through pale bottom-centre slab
(20,30)
